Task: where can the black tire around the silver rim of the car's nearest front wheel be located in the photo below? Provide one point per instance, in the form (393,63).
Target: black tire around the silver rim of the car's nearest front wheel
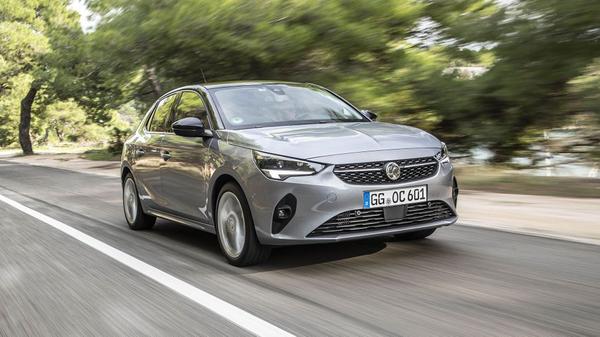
(253,251)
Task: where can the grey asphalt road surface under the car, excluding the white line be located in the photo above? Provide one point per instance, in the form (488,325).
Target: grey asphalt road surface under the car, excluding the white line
(462,281)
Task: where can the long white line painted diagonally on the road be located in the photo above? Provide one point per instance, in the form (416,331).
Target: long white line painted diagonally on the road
(224,309)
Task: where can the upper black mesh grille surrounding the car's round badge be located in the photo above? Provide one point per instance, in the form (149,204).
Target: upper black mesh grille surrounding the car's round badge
(372,173)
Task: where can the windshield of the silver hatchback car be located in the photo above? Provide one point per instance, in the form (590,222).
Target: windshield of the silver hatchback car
(281,104)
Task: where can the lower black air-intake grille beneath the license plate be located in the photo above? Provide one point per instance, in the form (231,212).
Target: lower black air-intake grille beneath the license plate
(373,219)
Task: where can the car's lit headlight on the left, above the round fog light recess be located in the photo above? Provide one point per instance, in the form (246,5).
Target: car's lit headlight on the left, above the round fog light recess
(280,168)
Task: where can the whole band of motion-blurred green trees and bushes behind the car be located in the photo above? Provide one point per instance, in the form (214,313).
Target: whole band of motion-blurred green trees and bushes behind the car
(476,73)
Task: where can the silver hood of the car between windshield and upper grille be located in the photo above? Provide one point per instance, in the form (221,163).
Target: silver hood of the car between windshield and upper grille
(323,140)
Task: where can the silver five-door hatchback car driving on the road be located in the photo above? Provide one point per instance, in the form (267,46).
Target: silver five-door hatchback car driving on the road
(262,164)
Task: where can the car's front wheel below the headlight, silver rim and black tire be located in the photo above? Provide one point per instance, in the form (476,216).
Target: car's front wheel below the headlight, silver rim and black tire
(235,229)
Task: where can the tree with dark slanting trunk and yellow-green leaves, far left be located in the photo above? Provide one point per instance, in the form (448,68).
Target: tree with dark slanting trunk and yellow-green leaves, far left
(35,34)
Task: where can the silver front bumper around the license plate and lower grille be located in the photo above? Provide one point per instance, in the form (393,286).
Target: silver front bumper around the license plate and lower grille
(323,196)
